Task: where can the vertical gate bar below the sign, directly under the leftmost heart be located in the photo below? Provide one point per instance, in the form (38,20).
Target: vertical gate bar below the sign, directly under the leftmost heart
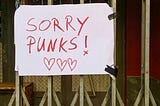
(50,88)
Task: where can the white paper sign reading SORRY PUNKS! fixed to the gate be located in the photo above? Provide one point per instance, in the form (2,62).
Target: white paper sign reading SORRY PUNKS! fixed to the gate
(63,39)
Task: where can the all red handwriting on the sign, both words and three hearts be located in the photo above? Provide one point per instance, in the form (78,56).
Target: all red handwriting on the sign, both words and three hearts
(59,42)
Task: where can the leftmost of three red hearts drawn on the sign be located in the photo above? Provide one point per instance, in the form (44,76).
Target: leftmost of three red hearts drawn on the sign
(49,62)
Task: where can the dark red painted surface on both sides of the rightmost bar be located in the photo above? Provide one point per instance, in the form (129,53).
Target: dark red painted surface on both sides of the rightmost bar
(133,38)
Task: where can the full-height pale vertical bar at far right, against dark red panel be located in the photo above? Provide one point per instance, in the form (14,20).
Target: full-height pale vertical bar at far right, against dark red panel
(147,43)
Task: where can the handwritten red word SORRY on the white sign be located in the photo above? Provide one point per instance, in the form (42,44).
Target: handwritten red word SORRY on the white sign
(55,24)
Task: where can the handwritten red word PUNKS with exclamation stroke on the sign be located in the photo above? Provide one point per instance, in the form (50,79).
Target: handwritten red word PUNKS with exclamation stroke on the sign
(60,44)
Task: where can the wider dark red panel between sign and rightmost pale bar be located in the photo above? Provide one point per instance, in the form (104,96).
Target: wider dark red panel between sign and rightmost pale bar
(133,37)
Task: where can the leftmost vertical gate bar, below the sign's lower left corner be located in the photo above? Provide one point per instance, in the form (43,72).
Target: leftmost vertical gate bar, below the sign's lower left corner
(18,90)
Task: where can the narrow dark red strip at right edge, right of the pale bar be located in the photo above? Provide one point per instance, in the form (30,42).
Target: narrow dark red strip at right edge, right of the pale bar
(155,39)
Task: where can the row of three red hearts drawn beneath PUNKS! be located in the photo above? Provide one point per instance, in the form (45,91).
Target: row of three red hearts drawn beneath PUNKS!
(49,63)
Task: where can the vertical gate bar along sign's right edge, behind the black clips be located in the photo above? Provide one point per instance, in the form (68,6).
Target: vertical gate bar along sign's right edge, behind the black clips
(114,81)
